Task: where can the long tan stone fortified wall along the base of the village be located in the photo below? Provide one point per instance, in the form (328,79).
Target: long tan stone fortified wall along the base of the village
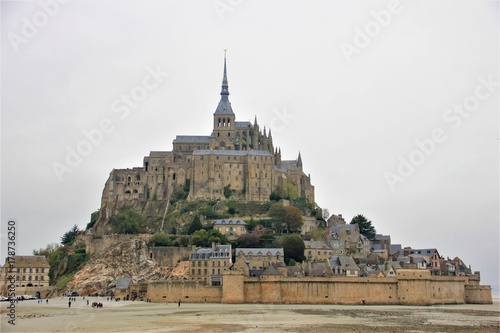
(409,287)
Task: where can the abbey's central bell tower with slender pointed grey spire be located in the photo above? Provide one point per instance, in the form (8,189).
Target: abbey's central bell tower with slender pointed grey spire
(224,130)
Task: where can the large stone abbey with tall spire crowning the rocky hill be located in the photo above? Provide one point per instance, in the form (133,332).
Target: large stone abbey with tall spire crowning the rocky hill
(237,157)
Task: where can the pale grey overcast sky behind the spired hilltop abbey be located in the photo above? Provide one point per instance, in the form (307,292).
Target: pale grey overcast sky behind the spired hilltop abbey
(393,106)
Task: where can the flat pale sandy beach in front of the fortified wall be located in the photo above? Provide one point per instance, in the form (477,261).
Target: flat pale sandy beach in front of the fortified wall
(137,316)
